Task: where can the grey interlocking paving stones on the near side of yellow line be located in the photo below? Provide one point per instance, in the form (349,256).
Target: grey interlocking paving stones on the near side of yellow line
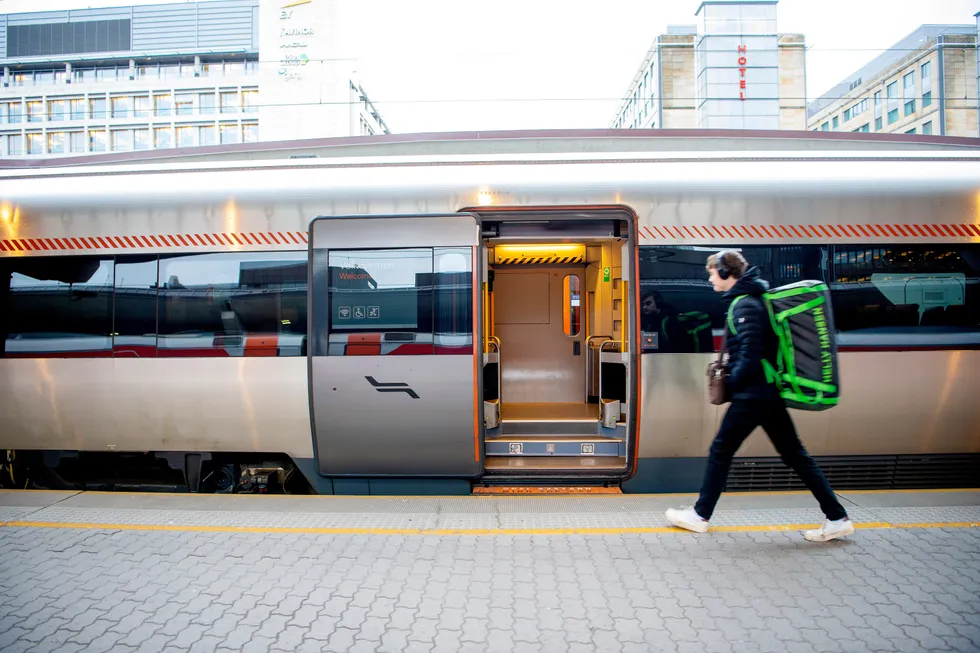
(67,589)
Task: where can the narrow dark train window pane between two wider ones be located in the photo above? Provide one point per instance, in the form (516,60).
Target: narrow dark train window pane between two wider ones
(135,316)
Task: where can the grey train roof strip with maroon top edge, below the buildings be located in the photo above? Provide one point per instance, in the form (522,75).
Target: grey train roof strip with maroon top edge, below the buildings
(554,142)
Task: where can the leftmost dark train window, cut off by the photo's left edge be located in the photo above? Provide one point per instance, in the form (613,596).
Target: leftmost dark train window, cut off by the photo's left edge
(56,307)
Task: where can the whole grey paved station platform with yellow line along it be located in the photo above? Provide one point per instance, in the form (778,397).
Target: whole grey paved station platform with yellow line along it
(90,571)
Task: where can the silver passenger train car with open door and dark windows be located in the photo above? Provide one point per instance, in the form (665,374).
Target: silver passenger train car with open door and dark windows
(438,314)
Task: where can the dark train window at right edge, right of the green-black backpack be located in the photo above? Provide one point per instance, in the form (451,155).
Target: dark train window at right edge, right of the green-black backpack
(907,289)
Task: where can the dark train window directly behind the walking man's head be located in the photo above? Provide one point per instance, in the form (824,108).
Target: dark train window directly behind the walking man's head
(678,307)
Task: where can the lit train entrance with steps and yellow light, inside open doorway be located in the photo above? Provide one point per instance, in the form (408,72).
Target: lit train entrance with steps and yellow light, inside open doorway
(556,367)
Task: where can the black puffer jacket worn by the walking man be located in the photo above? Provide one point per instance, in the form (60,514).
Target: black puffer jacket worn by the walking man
(753,339)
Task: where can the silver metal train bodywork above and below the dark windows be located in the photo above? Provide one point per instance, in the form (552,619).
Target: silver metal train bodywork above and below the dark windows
(893,402)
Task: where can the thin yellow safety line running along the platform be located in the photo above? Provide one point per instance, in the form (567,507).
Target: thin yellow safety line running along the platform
(459,531)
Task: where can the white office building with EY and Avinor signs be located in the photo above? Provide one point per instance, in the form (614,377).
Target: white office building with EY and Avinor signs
(174,75)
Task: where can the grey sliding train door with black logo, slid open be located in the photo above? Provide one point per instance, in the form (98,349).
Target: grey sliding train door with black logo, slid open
(395,357)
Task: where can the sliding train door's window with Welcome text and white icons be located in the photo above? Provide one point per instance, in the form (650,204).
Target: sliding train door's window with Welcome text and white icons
(414,301)
